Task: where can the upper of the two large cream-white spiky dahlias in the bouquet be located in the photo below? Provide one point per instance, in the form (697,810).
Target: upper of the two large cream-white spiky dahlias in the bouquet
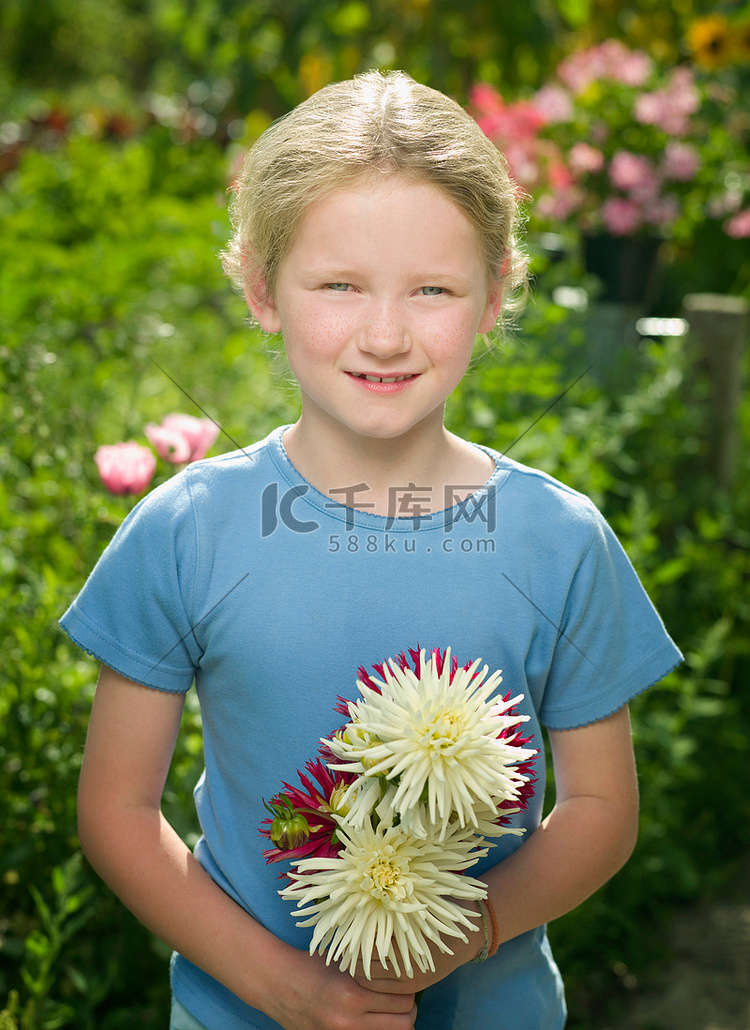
(438,738)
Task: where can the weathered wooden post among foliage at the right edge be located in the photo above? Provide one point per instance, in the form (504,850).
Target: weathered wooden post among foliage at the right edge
(722,326)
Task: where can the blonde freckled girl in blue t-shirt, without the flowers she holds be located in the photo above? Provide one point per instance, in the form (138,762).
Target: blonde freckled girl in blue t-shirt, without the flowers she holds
(376,229)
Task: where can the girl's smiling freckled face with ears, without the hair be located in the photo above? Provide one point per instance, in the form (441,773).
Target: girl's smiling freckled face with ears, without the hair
(380,302)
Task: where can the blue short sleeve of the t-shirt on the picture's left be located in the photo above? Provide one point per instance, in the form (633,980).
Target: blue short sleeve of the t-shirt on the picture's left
(135,610)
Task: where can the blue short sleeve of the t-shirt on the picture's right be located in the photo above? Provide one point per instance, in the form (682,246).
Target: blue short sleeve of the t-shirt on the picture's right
(612,643)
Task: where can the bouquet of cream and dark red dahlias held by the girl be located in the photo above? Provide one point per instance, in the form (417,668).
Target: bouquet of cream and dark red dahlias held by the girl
(396,808)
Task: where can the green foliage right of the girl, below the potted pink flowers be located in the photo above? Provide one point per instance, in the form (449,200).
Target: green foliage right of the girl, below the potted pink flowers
(634,438)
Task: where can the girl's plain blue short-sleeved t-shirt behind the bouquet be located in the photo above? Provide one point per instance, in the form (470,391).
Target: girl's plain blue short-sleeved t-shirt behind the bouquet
(238,575)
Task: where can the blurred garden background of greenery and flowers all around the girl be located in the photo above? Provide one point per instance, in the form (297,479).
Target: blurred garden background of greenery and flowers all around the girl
(122,122)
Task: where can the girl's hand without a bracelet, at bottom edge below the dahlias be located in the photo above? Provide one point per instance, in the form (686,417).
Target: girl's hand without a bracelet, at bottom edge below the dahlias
(321,998)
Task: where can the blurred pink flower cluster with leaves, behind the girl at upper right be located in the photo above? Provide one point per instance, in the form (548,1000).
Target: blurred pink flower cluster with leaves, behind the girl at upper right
(625,146)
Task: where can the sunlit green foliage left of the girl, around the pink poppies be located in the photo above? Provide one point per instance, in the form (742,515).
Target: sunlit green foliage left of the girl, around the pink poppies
(109,259)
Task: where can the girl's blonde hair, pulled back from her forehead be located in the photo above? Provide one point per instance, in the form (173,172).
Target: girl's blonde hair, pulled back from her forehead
(374,123)
